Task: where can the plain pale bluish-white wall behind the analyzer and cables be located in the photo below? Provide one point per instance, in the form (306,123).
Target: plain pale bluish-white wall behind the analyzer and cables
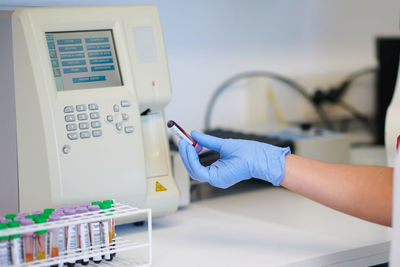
(208,41)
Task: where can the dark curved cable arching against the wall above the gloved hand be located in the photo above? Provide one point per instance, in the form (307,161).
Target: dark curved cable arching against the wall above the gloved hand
(267,74)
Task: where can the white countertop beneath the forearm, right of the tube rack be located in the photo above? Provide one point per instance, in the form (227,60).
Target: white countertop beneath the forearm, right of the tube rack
(266,227)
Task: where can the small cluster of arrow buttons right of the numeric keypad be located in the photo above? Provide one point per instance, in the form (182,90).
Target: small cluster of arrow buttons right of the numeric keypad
(119,117)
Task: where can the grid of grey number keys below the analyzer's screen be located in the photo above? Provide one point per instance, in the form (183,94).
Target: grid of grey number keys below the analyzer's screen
(82,130)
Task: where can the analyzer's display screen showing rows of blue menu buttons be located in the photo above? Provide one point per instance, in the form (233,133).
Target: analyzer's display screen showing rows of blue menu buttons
(83,59)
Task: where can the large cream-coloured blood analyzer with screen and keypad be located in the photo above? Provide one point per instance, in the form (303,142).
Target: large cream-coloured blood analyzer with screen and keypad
(91,84)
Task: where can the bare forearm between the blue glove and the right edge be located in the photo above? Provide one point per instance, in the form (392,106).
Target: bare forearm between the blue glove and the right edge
(361,191)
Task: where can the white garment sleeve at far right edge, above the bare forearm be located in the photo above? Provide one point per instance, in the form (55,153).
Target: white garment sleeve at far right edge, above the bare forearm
(392,125)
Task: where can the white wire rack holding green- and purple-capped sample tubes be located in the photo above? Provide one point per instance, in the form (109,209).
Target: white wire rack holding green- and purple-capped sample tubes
(117,210)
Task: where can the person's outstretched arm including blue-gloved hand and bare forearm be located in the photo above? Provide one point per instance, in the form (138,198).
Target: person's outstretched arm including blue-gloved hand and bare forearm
(361,191)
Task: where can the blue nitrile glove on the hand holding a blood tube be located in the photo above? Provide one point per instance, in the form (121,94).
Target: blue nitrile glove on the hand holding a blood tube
(240,160)
